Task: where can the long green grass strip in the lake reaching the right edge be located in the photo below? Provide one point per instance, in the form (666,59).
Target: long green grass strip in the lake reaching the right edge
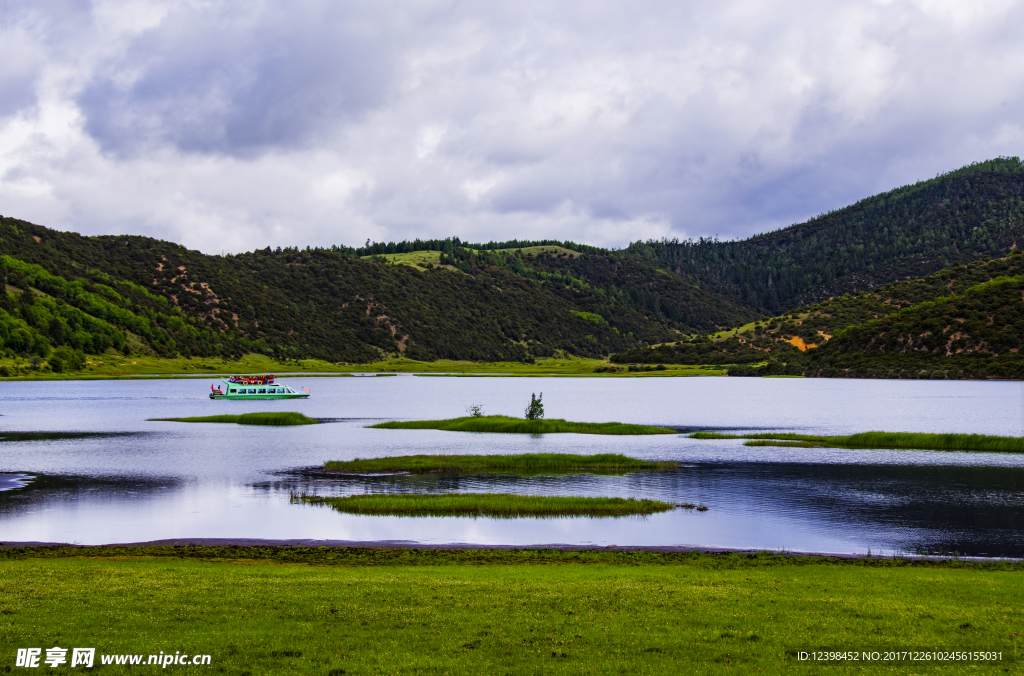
(903,441)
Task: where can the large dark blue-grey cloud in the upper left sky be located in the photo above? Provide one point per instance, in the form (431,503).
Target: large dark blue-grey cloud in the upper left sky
(240,78)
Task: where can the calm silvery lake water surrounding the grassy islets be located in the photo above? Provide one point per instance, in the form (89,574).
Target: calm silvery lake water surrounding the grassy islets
(119,479)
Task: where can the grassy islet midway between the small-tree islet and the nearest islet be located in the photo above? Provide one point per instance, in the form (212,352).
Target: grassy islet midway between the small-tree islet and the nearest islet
(528,462)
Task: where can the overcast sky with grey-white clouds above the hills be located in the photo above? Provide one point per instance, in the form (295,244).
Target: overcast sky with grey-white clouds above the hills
(229,126)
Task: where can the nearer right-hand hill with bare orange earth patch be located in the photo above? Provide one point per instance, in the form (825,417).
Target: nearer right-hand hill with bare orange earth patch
(965,322)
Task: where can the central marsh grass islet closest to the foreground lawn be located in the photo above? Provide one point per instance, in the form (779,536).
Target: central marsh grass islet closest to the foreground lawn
(502,505)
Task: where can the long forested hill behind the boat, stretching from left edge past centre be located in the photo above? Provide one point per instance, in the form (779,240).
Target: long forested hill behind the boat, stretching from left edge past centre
(141,294)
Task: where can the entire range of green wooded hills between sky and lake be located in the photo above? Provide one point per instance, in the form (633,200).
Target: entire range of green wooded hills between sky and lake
(834,284)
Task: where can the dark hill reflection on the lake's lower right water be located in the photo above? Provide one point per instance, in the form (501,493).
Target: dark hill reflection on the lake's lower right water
(897,509)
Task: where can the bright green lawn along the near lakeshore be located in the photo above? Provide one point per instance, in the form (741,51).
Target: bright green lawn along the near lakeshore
(335,612)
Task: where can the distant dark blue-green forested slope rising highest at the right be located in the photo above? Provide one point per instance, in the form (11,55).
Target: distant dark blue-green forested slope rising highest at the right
(907,233)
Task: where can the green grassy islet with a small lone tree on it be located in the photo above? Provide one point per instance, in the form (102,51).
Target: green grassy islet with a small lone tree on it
(506,425)
